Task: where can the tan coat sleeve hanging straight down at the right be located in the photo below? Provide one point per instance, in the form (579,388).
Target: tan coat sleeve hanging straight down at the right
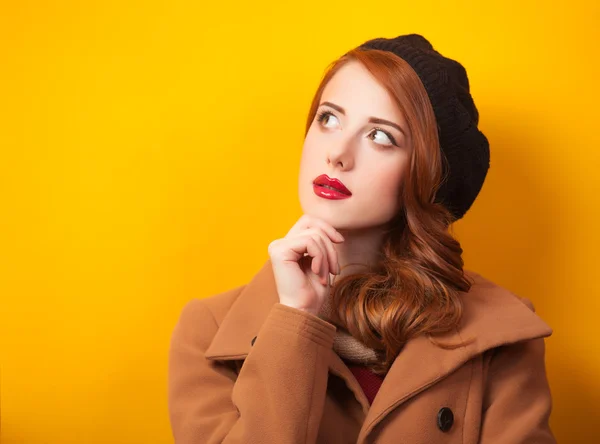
(517,402)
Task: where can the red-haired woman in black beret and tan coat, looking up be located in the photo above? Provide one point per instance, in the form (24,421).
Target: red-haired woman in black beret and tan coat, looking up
(363,327)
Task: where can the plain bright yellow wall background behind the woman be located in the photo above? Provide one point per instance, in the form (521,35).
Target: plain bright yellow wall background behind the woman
(149,155)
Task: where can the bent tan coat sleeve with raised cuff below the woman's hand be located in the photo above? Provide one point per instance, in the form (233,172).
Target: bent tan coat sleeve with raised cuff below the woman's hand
(278,395)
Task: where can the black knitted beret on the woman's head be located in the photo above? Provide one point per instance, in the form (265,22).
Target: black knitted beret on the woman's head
(465,148)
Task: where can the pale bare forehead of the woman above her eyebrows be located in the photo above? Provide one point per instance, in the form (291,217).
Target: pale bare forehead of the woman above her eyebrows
(354,88)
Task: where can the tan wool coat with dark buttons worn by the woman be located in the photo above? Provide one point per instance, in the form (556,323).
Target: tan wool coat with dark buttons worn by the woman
(244,368)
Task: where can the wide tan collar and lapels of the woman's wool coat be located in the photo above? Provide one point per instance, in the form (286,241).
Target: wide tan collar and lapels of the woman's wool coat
(492,316)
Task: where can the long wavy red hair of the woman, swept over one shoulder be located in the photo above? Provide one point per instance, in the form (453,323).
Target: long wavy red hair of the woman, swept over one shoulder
(415,288)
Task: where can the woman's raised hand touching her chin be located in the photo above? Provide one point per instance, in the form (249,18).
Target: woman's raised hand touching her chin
(302,262)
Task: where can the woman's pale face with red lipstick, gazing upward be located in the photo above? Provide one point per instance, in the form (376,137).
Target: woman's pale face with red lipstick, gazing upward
(360,137)
